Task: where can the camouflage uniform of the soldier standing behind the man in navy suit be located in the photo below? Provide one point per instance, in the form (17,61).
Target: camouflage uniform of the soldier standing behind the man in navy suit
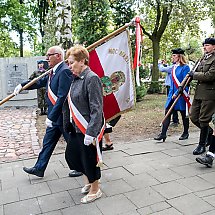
(41,93)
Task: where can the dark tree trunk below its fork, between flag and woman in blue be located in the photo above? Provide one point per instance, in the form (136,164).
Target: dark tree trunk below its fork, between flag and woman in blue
(154,86)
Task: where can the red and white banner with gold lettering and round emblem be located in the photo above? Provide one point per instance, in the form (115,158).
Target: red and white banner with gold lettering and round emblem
(111,61)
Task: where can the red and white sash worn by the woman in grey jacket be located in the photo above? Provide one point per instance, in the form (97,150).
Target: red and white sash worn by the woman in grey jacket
(82,124)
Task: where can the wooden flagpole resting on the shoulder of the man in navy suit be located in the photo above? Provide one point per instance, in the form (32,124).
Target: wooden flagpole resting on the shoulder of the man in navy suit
(118,31)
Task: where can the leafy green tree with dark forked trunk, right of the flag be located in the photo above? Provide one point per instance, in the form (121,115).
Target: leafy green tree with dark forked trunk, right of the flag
(165,25)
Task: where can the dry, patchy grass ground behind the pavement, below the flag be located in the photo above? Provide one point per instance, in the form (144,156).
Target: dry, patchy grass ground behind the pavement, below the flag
(144,120)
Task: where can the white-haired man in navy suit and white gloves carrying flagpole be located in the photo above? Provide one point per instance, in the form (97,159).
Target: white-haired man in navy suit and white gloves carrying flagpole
(57,85)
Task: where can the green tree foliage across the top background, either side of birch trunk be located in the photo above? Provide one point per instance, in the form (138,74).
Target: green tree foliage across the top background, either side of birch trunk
(168,24)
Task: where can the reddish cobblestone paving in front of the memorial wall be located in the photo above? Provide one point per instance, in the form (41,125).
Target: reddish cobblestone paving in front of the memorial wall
(18,133)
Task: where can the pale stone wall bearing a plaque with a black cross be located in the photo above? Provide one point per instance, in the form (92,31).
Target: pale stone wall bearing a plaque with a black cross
(12,72)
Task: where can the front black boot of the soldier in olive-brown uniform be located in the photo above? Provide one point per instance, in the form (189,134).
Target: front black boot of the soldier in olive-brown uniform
(201,148)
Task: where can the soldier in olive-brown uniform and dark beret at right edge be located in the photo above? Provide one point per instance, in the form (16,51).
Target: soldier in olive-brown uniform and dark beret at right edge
(203,105)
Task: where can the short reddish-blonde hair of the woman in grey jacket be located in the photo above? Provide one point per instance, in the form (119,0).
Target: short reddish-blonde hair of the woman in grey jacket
(79,53)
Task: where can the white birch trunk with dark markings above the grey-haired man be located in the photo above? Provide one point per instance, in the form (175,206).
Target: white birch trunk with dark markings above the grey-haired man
(63,23)
